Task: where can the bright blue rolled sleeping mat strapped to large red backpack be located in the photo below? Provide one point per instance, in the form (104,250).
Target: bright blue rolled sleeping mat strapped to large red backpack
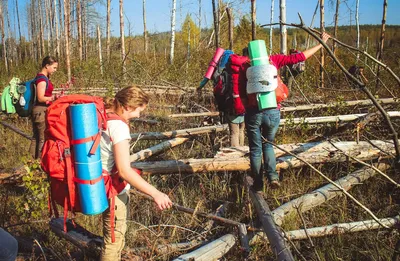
(84,124)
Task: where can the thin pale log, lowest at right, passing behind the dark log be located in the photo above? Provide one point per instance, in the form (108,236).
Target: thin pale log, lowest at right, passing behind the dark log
(334,229)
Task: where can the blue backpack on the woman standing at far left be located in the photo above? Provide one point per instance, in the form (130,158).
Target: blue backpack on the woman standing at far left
(27,98)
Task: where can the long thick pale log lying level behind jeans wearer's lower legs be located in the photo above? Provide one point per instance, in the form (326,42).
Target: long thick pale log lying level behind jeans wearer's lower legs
(320,153)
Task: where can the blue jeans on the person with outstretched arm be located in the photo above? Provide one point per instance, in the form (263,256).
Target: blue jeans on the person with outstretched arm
(265,123)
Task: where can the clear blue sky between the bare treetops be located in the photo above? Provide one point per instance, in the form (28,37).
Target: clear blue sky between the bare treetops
(159,12)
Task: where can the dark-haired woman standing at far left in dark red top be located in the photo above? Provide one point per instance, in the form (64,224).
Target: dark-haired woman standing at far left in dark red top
(44,96)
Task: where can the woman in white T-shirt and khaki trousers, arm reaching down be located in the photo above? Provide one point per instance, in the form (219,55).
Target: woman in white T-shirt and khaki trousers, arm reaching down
(128,103)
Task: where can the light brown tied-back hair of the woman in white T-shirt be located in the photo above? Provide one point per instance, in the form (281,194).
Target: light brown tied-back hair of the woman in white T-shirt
(130,97)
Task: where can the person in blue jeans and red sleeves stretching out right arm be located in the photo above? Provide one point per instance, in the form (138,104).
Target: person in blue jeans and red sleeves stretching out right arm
(264,123)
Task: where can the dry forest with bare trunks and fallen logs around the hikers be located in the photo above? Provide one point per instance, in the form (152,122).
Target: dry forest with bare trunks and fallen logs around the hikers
(337,147)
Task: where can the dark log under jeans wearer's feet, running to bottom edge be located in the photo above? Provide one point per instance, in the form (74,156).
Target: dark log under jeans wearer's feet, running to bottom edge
(275,237)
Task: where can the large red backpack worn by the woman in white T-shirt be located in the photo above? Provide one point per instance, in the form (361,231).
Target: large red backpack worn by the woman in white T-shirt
(58,161)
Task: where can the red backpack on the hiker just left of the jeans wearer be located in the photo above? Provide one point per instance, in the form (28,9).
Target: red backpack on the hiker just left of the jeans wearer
(236,69)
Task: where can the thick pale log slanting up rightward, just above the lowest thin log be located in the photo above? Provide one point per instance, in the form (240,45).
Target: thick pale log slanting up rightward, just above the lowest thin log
(323,194)
